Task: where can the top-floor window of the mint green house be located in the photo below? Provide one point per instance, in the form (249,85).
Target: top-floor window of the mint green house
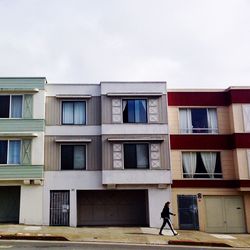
(11,106)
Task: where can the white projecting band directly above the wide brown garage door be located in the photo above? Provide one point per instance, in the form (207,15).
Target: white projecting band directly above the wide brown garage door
(135,176)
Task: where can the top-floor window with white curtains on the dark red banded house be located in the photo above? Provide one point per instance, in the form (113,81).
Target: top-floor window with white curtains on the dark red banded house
(198,120)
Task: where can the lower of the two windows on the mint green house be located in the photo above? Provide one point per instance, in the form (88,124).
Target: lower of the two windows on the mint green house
(10,151)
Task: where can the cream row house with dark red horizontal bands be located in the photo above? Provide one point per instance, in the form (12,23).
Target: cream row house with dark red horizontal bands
(210,159)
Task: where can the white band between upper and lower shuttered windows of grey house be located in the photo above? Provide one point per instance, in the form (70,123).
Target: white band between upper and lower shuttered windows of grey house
(136,129)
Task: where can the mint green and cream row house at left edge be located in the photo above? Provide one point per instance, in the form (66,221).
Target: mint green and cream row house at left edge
(22,114)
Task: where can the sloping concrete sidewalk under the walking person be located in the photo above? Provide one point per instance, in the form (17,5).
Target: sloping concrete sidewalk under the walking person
(128,235)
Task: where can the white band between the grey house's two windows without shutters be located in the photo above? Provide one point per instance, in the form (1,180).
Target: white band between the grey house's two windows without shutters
(71,130)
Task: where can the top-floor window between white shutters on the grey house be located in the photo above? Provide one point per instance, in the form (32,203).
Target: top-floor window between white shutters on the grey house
(134,111)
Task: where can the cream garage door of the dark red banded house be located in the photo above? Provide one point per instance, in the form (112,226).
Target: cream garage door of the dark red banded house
(224,214)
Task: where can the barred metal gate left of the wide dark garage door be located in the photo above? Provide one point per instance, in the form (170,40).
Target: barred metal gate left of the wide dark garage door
(59,208)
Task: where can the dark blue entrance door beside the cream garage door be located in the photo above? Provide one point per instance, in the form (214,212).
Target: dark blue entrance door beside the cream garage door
(188,212)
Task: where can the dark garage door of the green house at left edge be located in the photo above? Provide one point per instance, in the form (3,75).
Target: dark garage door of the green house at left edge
(10,204)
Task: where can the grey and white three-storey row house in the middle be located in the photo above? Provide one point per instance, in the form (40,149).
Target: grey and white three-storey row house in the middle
(106,154)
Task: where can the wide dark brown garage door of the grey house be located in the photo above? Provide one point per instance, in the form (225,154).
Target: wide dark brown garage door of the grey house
(116,207)
